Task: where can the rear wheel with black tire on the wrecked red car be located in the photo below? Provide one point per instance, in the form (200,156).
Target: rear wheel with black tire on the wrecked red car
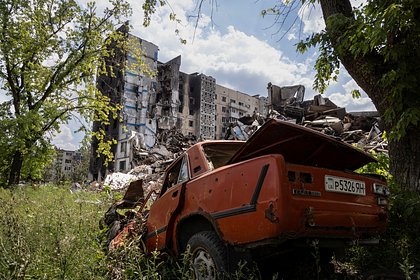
(208,255)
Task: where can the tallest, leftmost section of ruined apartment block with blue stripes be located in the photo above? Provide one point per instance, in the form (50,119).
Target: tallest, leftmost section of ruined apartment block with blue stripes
(134,86)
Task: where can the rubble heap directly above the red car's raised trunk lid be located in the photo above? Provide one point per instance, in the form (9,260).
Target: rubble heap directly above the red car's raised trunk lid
(321,114)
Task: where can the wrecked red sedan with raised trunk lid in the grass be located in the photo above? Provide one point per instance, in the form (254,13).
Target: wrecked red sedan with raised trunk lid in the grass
(286,184)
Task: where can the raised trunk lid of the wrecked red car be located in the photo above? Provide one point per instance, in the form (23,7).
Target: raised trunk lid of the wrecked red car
(301,145)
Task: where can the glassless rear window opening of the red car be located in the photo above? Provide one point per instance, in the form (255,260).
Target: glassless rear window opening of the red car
(218,154)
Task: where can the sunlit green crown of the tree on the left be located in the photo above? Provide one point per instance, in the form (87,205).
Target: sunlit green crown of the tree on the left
(50,54)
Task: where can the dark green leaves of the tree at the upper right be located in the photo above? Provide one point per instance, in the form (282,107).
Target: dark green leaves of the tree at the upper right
(387,33)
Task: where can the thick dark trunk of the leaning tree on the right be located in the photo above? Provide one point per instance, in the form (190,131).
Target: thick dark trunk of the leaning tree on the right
(367,71)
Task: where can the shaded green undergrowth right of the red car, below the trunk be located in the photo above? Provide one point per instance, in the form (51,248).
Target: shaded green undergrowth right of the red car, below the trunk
(399,245)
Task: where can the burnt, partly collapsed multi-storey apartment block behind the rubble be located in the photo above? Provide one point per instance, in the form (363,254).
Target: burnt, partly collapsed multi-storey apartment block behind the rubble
(159,99)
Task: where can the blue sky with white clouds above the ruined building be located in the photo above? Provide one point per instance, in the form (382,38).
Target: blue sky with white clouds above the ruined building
(236,45)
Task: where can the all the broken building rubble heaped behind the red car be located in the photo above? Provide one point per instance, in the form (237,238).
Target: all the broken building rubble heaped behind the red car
(287,104)
